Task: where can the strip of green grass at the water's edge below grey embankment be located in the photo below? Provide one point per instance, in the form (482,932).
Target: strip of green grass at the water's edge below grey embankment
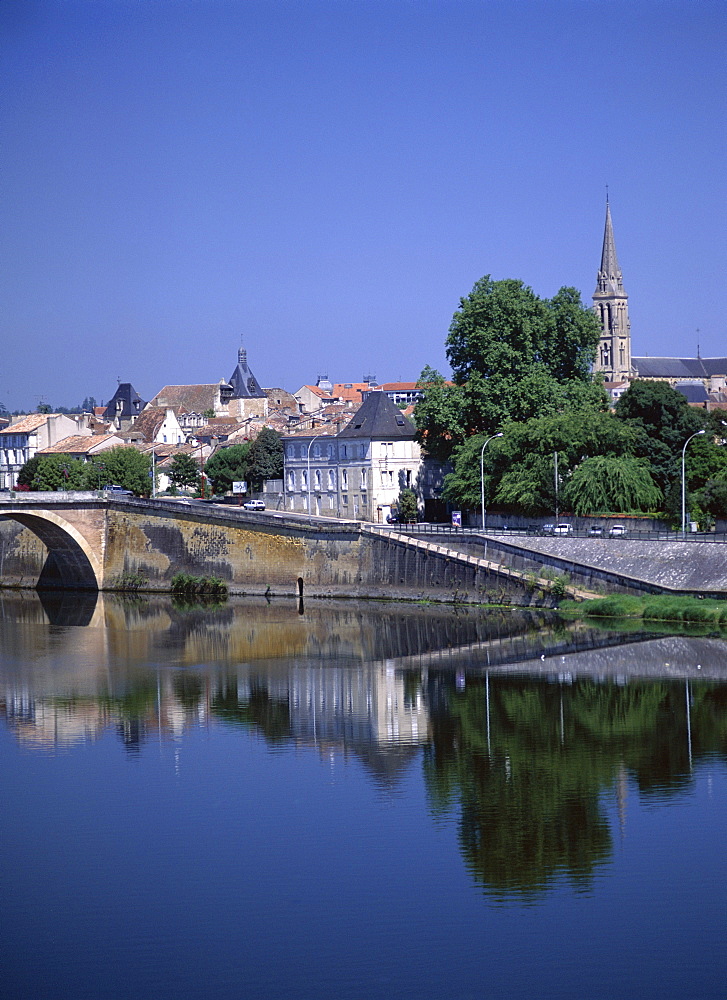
(651,608)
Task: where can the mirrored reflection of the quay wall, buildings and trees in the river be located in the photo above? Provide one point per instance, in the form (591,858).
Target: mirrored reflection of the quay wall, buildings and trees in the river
(530,734)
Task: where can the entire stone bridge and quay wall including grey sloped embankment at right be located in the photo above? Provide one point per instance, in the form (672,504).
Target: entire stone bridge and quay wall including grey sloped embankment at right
(93,542)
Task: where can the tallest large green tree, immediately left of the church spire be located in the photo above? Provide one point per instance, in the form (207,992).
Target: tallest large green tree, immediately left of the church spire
(513,355)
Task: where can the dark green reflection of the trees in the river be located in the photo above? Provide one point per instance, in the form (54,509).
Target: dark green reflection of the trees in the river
(531,797)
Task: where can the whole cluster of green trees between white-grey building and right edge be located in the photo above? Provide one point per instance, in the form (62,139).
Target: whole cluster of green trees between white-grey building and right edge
(522,367)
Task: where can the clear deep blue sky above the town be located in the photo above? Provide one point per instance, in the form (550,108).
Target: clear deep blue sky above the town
(326,178)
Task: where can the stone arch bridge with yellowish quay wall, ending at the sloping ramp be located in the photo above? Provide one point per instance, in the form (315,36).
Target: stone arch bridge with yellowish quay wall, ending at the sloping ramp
(94,542)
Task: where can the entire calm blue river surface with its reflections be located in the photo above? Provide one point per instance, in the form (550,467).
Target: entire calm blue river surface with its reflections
(356,801)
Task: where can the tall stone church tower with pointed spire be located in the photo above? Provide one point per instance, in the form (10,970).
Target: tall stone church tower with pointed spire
(611,305)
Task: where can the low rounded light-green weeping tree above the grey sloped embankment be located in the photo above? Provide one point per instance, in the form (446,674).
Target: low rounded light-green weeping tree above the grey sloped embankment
(612,484)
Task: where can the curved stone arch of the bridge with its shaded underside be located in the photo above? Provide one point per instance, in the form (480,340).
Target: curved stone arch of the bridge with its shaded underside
(71,561)
